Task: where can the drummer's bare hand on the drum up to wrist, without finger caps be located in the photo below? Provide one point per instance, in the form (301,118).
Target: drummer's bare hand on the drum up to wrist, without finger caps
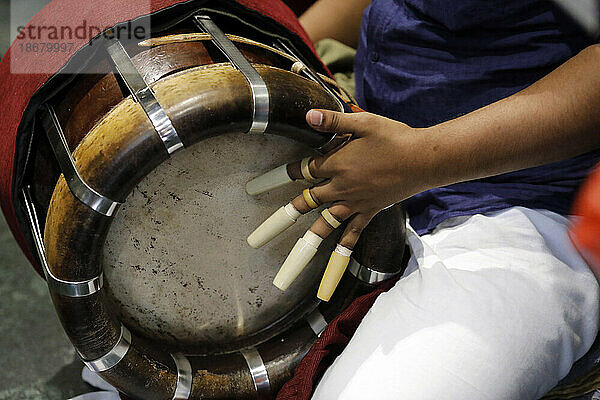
(385,162)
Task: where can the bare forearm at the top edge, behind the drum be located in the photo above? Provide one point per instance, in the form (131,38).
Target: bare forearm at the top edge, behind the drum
(337,19)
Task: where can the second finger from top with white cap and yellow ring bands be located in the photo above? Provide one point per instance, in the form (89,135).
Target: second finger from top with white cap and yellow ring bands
(287,215)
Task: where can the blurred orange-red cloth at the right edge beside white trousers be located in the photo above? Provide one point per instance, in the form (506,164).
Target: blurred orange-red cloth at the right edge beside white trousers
(585,230)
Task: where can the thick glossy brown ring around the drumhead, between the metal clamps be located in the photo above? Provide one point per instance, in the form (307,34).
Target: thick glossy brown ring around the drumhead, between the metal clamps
(118,152)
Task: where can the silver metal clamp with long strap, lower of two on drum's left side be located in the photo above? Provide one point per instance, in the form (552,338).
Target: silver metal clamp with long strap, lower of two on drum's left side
(58,286)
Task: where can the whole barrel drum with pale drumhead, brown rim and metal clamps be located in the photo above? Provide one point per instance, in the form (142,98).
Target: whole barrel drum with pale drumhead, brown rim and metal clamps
(142,234)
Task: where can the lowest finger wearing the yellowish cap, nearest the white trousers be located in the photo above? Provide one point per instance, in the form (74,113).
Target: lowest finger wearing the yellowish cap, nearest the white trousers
(340,257)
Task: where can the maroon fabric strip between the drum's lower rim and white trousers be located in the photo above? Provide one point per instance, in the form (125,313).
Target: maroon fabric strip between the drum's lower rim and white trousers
(330,345)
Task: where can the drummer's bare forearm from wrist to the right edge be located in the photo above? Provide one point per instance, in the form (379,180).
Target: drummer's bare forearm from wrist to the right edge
(556,118)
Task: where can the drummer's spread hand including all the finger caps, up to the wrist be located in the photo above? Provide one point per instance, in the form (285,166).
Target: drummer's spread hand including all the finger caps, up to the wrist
(383,163)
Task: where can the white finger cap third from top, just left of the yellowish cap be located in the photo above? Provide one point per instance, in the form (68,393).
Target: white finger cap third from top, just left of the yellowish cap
(304,250)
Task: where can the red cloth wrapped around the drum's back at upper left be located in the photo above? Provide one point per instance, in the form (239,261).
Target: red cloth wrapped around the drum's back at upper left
(16,90)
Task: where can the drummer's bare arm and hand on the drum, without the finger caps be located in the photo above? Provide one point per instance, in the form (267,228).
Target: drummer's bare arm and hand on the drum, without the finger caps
(387,161)
